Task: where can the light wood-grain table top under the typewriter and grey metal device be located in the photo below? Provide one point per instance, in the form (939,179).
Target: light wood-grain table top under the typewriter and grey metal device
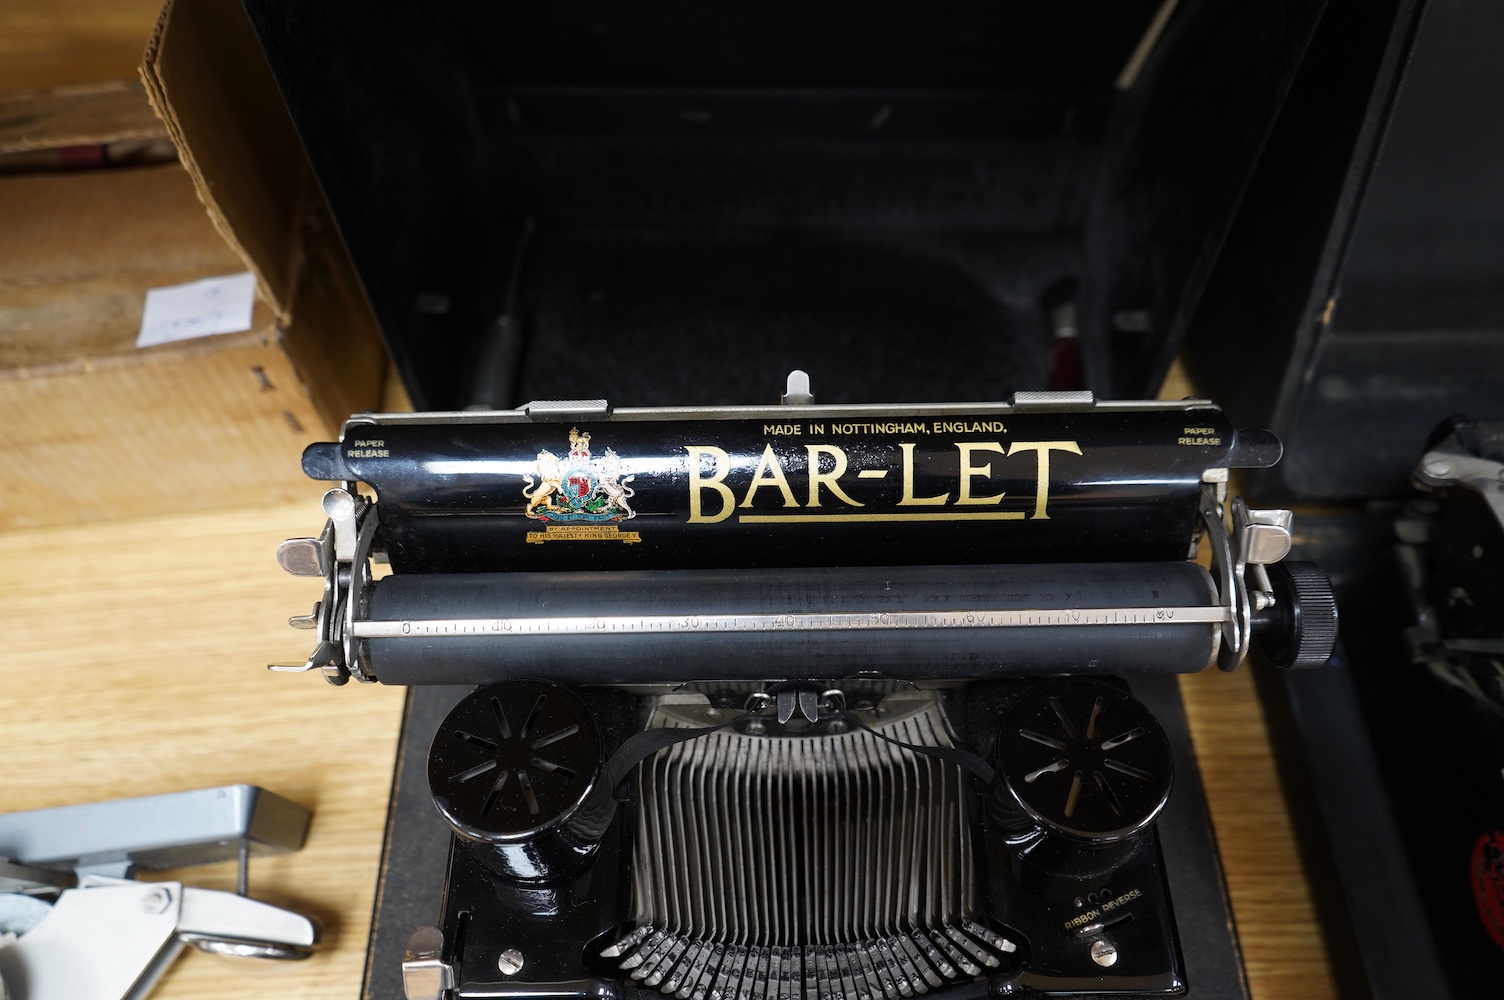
(135,664)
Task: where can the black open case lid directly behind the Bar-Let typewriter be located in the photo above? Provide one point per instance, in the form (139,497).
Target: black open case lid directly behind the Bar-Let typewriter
(679,204)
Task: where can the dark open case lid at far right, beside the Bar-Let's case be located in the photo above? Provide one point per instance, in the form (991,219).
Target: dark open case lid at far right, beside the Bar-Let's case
(1360,297)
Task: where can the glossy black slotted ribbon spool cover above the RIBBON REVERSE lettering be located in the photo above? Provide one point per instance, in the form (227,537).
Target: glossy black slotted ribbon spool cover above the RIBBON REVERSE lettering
(1085,769)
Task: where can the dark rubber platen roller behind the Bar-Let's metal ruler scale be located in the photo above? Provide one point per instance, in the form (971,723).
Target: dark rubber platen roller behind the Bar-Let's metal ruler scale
(620,656)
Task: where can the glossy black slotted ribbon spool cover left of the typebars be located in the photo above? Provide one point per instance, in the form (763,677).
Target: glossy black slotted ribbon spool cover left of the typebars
(512,769)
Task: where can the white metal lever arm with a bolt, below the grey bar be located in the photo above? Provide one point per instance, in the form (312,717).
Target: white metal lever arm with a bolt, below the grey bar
(115,939)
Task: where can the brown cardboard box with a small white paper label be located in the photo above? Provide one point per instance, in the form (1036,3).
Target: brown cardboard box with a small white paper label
(94,426)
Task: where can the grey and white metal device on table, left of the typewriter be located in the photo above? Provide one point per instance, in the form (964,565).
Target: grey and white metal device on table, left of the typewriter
(70,933)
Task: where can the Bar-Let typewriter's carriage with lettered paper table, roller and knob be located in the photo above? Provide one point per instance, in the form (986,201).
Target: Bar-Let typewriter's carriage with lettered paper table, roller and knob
(449,595)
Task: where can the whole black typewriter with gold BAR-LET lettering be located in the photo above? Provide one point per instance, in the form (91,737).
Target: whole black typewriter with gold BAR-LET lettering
(834,703)
